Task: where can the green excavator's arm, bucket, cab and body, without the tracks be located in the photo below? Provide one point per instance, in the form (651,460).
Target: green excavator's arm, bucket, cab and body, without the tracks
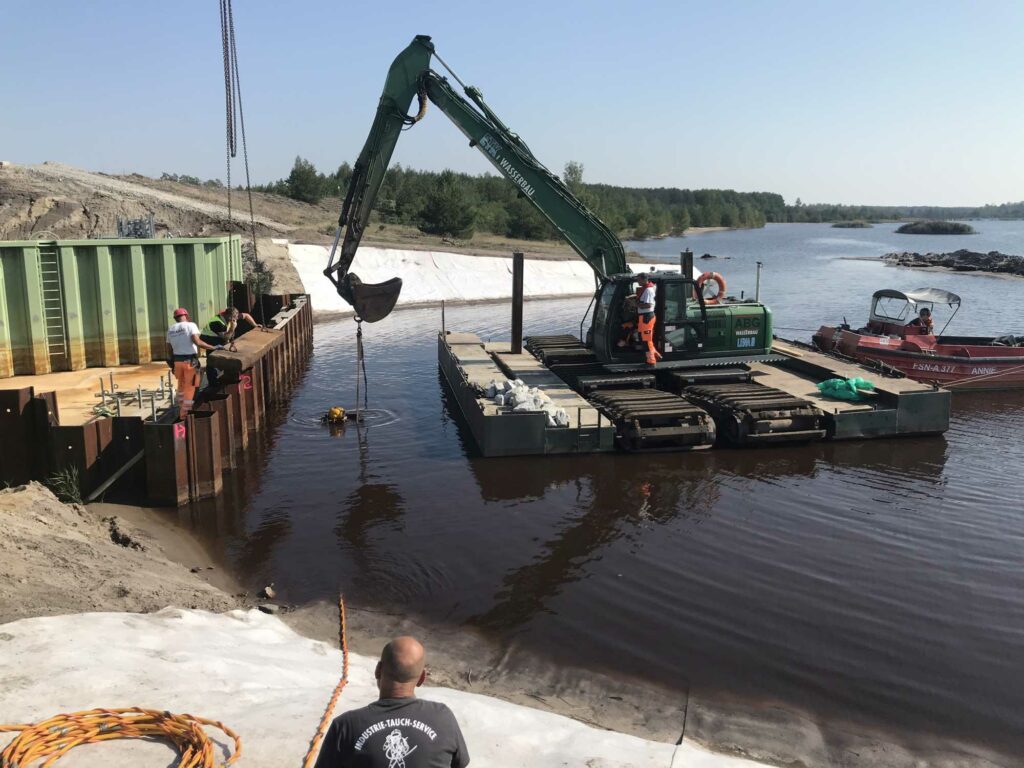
(691,330)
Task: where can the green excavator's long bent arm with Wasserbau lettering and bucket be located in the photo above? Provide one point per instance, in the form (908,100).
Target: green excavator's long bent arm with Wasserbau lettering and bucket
(409,78)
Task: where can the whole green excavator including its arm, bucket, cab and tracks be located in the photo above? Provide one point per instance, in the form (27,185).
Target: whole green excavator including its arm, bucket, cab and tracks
(661,380)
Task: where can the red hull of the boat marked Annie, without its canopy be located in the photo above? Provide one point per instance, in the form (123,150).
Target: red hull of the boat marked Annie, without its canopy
(955,366)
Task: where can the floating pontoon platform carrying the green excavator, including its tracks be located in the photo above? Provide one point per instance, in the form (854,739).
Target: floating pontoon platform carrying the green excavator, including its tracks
(764,403)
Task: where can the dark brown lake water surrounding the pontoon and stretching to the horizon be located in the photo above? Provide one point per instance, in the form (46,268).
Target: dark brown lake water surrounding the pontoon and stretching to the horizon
(879,582)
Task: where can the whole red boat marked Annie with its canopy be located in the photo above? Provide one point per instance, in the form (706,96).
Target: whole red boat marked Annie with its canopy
(895,338)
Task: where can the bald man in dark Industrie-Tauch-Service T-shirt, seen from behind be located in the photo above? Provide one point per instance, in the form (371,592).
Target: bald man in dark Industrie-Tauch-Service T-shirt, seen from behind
(398,730)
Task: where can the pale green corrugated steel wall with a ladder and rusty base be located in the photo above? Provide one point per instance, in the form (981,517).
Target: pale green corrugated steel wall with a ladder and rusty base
(71,305)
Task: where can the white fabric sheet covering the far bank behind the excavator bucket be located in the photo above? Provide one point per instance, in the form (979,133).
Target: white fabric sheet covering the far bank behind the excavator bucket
(435,276)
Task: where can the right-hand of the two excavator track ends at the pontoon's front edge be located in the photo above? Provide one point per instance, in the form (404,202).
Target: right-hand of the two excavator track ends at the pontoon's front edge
(751,414)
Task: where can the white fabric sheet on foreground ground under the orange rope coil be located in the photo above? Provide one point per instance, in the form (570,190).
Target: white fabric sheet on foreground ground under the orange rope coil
(271,686)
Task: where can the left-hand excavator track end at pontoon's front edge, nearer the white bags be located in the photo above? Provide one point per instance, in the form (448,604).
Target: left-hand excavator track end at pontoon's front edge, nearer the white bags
(653,420)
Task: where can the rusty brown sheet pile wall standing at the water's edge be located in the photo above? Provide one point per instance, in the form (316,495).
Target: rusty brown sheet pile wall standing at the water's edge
(186,460)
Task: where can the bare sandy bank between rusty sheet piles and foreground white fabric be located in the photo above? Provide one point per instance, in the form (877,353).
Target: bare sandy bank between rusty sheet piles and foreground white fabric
(58,559)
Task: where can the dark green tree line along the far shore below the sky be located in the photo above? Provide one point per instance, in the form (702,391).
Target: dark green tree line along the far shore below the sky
(457,205)
